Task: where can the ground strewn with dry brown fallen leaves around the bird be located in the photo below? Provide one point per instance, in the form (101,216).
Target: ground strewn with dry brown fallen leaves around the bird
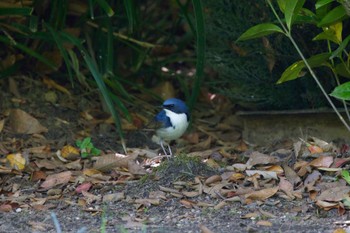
(216,183)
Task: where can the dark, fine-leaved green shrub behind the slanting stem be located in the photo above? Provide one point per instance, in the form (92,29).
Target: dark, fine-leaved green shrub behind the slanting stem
(247,71)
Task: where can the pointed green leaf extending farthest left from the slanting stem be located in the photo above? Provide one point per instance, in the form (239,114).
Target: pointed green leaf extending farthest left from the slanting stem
(260,30)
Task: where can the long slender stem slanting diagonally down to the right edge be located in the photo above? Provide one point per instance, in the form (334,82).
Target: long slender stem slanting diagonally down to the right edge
(289,35)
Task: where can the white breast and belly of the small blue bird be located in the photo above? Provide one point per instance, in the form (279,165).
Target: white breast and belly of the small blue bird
(179,122)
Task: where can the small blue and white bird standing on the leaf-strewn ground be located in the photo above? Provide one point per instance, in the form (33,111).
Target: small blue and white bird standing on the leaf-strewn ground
(172,122)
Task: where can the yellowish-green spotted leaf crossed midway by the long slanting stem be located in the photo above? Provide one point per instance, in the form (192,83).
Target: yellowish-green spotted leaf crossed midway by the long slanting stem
(294,71)
